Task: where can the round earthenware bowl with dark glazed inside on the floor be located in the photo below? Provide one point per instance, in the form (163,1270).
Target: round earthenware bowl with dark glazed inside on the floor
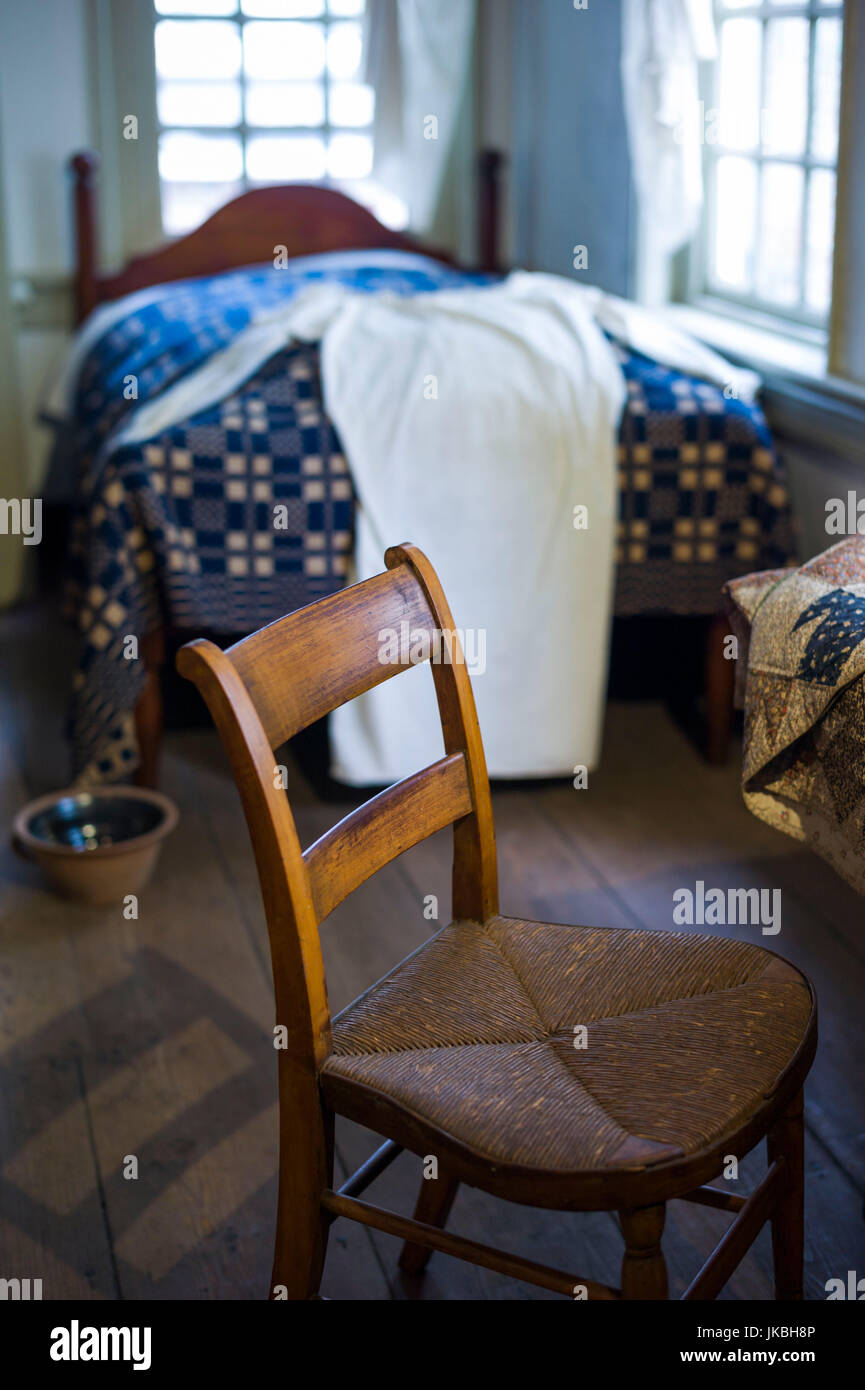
(95,846)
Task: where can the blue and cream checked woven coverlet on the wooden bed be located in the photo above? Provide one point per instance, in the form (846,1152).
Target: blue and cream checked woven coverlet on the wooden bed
(245,512)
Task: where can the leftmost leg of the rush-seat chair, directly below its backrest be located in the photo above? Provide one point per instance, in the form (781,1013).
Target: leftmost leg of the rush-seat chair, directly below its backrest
(307,1170)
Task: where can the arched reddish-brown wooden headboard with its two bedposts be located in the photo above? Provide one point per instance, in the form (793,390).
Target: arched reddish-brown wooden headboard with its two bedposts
(307,219)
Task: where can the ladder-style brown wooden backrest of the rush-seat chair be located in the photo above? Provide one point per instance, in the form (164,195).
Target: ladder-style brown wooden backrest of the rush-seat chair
(269,687)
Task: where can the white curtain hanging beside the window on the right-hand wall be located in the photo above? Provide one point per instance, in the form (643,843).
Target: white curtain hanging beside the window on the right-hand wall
(663,44)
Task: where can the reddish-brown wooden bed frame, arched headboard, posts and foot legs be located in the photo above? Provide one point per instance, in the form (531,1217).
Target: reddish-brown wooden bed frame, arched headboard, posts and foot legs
(307,220)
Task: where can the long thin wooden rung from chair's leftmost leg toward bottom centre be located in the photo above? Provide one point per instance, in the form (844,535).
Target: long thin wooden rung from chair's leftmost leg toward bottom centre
(487,1257)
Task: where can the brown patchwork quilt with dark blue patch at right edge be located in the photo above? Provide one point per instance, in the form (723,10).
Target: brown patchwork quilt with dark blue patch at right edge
(802,668)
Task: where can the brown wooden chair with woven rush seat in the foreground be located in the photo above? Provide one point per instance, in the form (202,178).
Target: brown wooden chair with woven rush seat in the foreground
(697,1047)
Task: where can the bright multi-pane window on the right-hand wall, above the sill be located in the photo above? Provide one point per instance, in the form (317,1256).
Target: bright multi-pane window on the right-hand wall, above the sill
(771,149)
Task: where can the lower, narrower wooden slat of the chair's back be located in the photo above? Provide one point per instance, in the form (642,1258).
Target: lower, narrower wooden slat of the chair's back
(385,828)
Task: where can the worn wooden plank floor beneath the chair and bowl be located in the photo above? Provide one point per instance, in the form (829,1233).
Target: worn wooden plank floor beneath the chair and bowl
(152,1038)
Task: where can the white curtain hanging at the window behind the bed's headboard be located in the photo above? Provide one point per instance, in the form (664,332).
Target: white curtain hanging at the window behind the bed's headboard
(417,58)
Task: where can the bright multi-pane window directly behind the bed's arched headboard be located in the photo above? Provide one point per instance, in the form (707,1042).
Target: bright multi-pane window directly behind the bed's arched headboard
(261,92)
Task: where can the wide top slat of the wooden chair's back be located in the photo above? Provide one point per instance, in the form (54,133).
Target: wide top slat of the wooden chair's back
(304,667)
